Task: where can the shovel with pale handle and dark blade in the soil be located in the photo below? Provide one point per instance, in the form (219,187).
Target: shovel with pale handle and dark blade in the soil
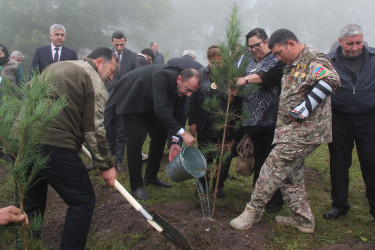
(155,220)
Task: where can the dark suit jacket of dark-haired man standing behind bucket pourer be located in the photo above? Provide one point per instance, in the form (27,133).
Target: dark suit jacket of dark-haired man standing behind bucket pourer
(128,63)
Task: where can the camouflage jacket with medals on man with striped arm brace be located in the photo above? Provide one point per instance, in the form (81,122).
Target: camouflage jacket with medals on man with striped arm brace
(298,80)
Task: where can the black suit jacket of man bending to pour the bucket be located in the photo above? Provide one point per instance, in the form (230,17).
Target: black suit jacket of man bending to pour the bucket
(151,87)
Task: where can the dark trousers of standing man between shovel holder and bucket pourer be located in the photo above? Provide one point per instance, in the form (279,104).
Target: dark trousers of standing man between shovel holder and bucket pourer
(116,136)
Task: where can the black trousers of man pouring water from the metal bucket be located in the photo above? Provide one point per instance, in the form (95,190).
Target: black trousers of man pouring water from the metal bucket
(136,127)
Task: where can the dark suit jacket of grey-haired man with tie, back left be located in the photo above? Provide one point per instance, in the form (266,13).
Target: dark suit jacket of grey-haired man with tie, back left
(43,56)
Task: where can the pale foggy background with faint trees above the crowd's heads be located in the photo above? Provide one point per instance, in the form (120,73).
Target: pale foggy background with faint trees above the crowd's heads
(175,25)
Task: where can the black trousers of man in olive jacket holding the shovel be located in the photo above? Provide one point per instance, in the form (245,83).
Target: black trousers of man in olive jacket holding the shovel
(67,174)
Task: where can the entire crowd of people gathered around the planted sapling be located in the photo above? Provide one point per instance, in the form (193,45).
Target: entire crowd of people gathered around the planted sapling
(117,97)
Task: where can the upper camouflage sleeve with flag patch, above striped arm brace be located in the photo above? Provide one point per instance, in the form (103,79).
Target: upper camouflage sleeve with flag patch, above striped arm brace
(321,68)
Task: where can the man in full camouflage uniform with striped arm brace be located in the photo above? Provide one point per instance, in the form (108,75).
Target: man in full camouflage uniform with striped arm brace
(303,123)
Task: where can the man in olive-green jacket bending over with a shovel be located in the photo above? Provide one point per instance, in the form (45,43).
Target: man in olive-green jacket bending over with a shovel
(81,120)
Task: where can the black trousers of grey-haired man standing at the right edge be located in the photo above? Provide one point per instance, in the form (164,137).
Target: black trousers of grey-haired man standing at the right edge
(348,129)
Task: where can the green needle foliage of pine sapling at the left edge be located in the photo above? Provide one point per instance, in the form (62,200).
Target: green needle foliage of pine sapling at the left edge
(25,116)
